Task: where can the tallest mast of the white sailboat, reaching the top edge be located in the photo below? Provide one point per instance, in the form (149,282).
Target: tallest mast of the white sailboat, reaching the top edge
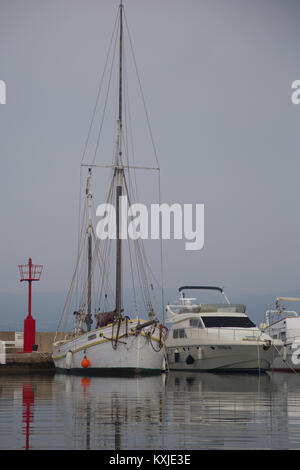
(119,171)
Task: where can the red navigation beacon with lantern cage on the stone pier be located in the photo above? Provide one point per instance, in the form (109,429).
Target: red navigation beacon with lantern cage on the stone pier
(29,273)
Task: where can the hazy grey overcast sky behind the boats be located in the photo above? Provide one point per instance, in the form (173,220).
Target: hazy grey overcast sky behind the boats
(217,80)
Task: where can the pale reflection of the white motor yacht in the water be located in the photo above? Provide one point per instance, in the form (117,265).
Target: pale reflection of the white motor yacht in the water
(223,411)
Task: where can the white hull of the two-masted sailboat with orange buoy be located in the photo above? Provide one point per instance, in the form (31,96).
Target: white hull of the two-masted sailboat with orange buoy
(132,354)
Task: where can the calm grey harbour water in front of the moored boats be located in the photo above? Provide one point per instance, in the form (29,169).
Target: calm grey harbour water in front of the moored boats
(180,410)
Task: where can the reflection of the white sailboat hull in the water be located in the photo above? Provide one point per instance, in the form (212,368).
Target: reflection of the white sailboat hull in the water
(114,412)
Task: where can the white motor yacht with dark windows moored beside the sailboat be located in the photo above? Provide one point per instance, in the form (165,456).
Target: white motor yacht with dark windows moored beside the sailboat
(217,336)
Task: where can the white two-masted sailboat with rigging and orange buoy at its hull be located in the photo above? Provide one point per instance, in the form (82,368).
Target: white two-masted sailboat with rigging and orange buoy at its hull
(118,344)
